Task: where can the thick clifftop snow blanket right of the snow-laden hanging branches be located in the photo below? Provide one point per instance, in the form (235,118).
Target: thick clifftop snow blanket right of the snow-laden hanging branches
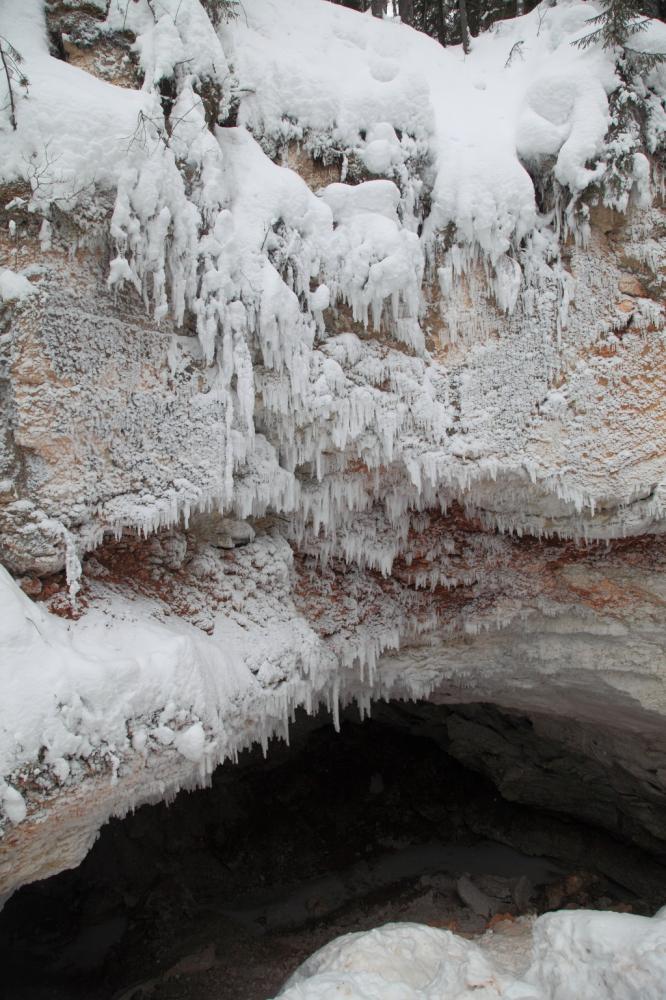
(478,117)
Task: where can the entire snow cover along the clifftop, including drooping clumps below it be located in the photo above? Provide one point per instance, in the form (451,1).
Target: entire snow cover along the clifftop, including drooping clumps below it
(474,120)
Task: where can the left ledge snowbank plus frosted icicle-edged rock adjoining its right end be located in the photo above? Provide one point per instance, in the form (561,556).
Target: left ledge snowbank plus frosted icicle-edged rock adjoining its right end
(125,684)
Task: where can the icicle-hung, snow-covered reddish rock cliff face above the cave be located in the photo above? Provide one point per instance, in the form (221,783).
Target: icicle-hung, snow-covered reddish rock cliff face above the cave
(331,368)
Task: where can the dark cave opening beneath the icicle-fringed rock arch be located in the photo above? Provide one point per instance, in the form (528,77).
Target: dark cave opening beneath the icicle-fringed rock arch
(226,890)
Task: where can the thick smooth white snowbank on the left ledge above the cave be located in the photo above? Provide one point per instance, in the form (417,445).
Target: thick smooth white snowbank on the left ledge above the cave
(90,686)
